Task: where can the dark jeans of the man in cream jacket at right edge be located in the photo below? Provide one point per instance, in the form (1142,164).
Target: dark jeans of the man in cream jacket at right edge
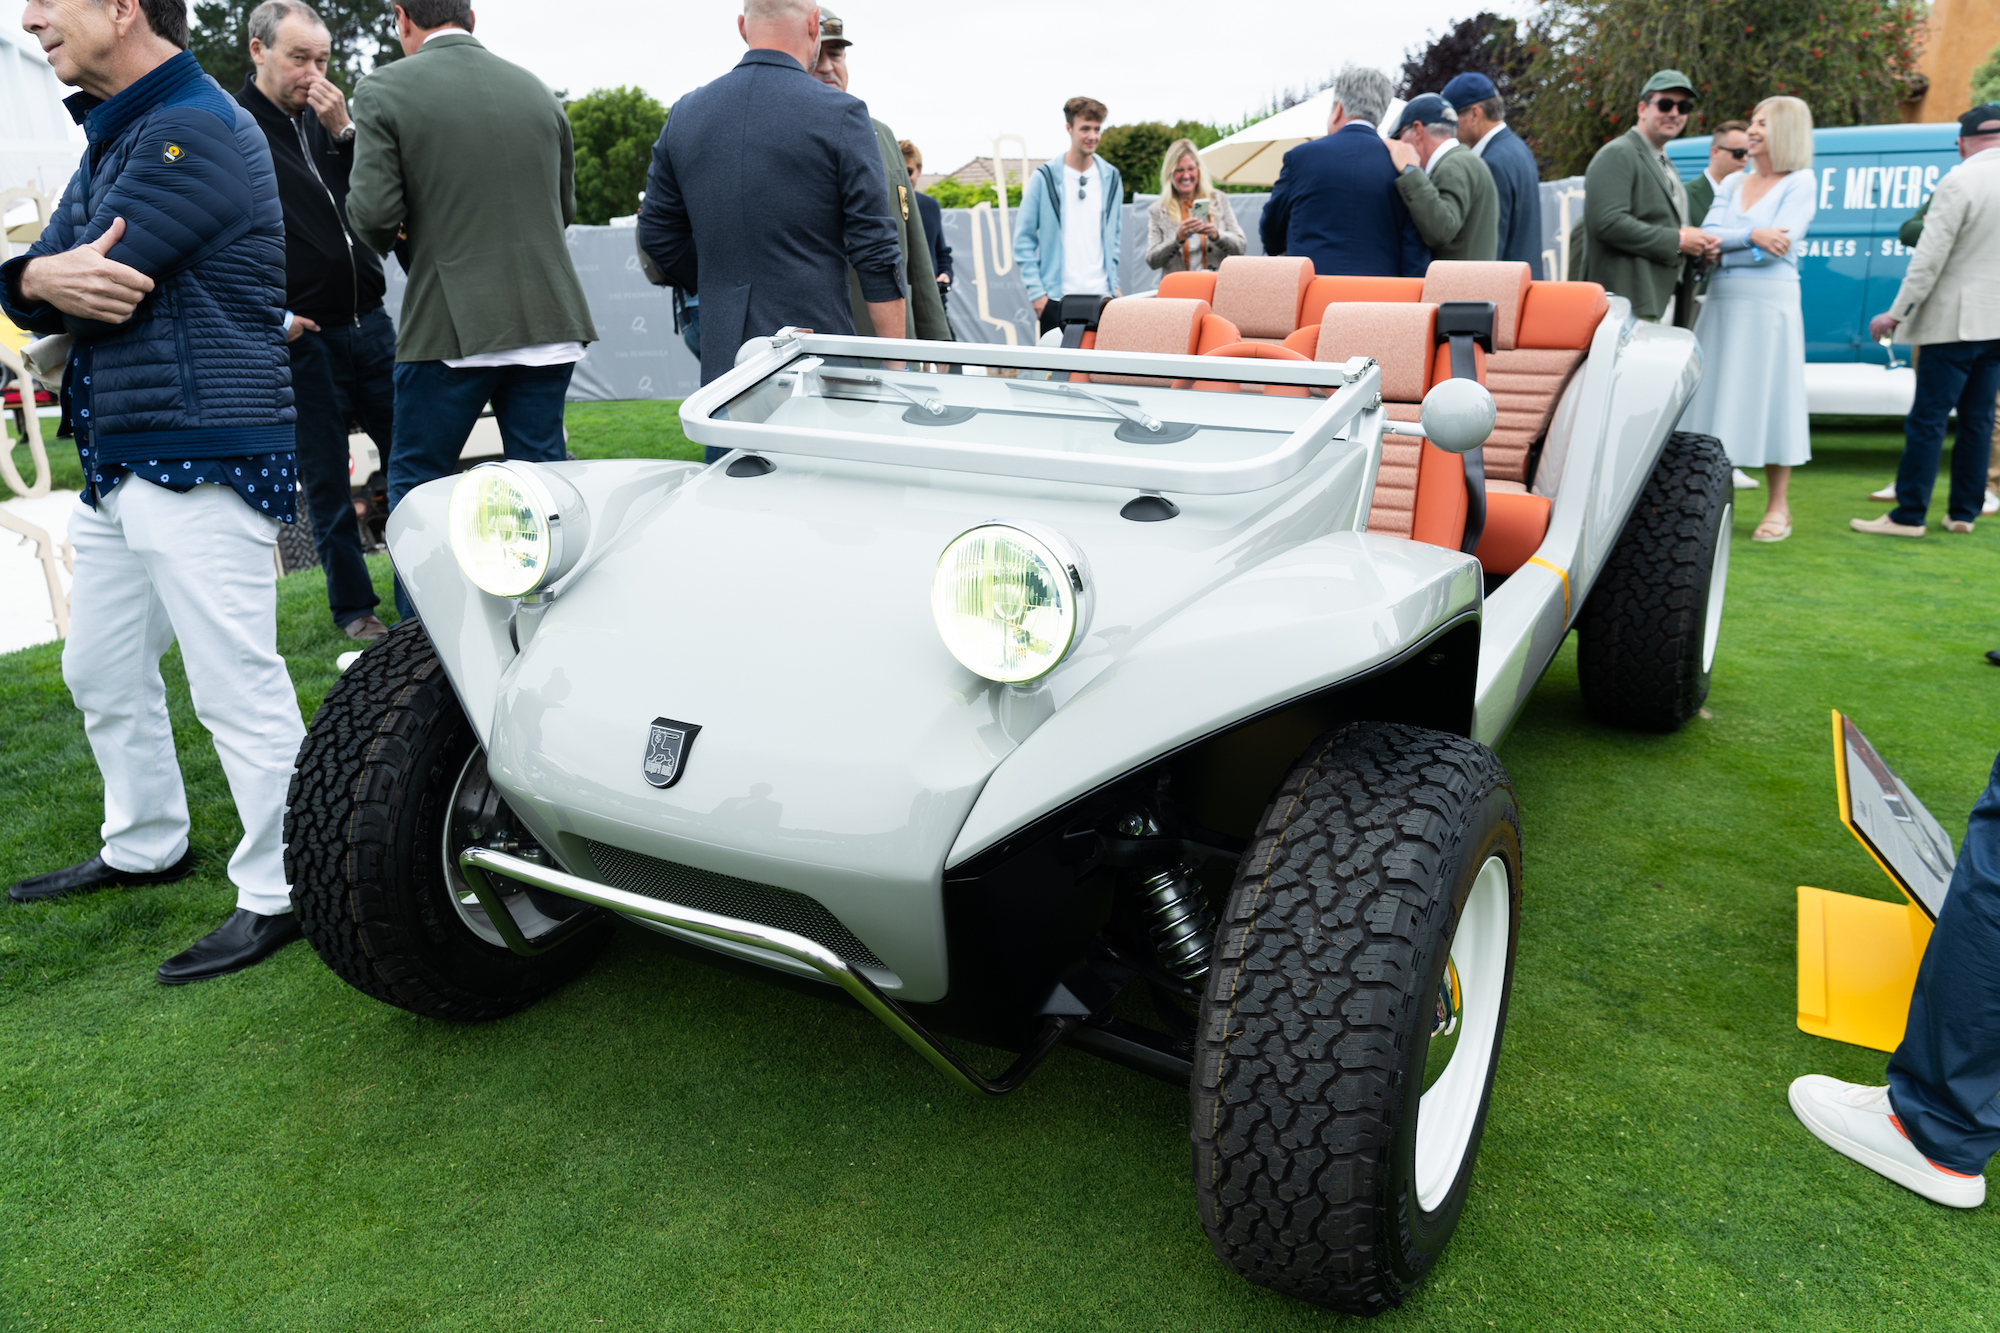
(1965,375)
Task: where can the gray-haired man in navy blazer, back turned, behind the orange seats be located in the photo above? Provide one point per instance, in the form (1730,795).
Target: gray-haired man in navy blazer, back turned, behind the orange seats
(1337,197)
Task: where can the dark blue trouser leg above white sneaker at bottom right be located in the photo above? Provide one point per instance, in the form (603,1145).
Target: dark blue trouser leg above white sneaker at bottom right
(1947,1072)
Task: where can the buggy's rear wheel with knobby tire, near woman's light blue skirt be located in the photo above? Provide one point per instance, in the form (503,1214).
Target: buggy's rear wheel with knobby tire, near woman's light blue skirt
(1647,637)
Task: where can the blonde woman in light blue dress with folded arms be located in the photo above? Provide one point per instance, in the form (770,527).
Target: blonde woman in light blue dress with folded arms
(1751,329)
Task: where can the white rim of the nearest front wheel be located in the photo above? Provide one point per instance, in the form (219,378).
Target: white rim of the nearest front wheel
(1451,1108)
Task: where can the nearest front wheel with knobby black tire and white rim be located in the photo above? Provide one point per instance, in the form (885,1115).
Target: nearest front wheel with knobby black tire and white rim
(1385,856)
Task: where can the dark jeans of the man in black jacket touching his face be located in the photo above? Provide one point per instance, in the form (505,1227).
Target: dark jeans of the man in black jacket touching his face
(343,375)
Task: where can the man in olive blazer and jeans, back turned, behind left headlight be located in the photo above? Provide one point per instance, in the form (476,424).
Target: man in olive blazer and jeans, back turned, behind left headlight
(463,165)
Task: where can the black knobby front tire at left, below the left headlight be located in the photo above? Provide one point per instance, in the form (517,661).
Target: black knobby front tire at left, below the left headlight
(365,846)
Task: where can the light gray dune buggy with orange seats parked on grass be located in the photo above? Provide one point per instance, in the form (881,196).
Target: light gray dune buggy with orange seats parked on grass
(1075,696)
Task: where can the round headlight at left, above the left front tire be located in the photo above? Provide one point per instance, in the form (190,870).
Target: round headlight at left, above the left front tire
(515,527)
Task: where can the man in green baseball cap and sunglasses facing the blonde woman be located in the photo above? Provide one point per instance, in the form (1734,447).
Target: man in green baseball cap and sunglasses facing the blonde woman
(1637,229)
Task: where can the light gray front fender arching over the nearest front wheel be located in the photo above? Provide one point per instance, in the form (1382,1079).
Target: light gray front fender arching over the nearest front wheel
(1303,621)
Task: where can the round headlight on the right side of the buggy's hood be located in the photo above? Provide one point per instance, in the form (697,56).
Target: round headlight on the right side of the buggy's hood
(1009,601)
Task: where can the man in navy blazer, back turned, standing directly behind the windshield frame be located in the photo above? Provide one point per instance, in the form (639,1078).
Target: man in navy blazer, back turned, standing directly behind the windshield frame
(765,187)
